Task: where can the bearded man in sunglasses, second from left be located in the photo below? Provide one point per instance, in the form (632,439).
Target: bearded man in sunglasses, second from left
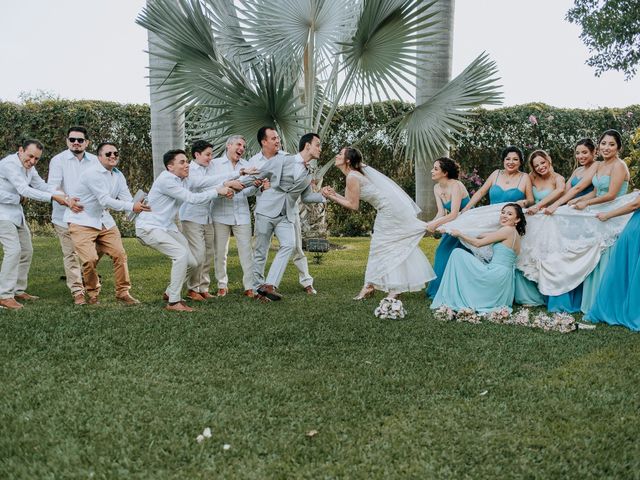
(64,173)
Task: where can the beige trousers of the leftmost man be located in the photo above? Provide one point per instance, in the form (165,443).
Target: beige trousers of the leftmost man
(17,248)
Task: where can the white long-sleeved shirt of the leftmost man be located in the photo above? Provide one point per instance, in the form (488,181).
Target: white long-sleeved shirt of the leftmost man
(17,180)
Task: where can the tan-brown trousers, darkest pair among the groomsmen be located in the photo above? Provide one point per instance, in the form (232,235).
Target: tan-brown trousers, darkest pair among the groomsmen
(90,244)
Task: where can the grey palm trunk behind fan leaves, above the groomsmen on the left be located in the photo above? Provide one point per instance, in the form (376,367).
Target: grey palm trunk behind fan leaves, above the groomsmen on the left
(167,125)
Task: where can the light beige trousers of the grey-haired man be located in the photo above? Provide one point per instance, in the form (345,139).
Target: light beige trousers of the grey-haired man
(242,233)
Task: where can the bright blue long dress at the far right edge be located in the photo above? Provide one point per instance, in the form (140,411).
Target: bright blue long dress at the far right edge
(618,299)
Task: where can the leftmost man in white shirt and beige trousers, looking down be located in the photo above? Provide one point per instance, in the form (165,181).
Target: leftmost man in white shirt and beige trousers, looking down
(19,179)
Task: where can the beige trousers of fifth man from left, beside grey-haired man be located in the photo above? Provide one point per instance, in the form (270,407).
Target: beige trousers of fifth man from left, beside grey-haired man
(201,240)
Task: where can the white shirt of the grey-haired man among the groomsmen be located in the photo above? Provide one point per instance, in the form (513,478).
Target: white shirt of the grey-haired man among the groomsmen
(231,211)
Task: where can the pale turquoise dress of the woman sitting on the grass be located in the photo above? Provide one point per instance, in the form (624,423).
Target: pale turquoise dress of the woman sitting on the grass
(471,283)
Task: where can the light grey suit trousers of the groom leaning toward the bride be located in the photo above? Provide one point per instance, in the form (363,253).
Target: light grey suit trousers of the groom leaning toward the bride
(285,232)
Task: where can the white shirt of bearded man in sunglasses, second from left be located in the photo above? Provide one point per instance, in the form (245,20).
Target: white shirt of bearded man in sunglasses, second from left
(65,173)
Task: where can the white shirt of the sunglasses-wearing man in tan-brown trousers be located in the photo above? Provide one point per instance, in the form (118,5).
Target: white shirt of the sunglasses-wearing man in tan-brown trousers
(98,190)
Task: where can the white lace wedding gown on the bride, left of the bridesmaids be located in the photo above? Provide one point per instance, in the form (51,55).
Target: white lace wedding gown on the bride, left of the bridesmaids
(396,264)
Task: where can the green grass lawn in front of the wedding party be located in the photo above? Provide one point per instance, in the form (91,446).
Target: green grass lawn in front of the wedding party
(122,392)
